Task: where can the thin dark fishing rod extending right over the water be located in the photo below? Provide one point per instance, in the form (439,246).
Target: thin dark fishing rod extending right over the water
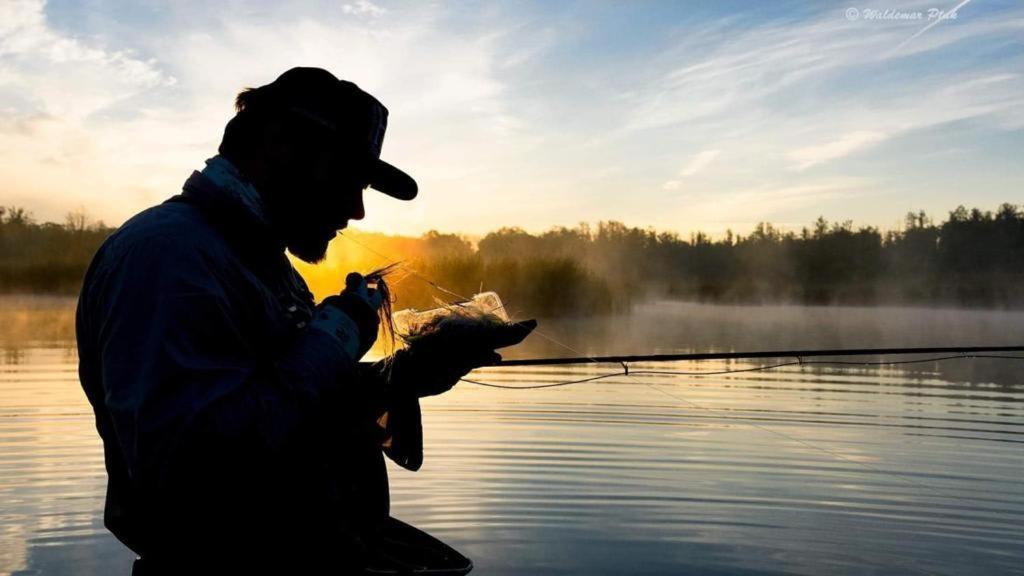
(798,354)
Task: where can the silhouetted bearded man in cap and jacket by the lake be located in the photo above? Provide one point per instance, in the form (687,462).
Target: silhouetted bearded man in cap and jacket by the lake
(240,432)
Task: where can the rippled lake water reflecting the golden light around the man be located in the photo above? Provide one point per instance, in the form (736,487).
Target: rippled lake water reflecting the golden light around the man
(910,470)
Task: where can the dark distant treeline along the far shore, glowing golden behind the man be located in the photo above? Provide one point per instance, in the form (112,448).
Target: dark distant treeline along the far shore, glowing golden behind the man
(972,259)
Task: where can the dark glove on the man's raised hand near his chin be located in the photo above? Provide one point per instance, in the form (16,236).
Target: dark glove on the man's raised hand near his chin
(351,317)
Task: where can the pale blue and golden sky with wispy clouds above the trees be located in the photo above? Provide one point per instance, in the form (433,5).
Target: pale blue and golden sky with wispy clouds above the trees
(679,116)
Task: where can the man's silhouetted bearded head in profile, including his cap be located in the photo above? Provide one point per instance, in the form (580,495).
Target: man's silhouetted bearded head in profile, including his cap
(311,145)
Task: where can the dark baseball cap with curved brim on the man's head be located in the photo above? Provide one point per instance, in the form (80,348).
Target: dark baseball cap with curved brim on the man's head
(344,108)
